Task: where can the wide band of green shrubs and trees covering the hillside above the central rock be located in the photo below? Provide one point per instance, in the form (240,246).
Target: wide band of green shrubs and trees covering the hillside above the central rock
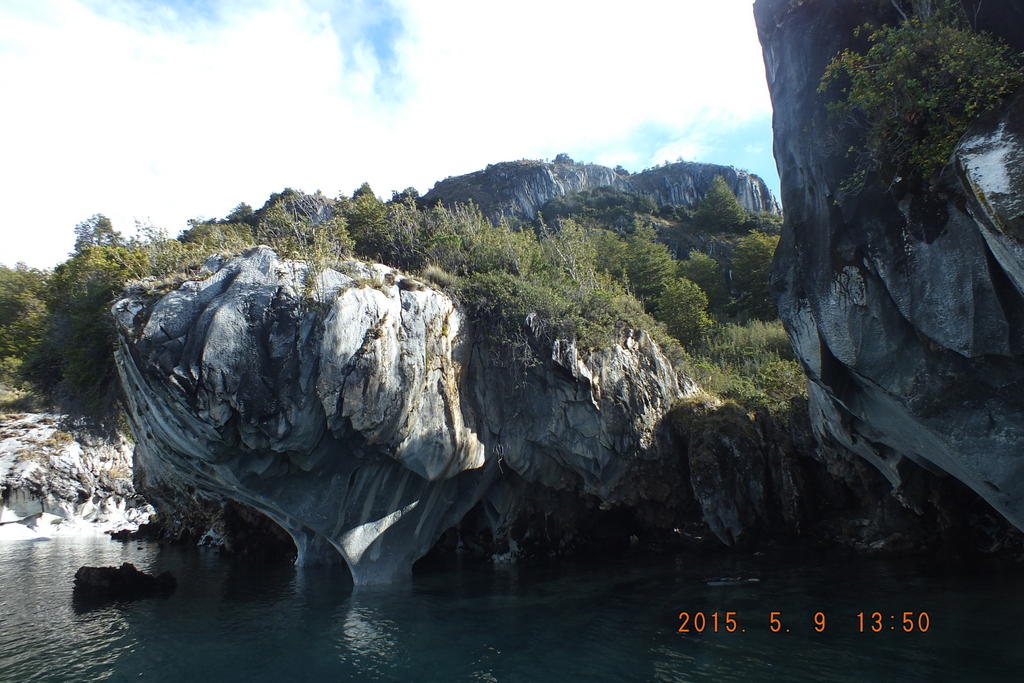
(593,264)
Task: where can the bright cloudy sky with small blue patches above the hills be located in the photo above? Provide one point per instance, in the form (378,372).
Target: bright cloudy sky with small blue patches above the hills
(156,112)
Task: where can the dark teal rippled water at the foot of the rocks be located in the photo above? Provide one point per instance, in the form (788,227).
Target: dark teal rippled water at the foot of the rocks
(615,621)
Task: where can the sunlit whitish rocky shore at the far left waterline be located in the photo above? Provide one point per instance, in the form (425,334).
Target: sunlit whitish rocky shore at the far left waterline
(66,481)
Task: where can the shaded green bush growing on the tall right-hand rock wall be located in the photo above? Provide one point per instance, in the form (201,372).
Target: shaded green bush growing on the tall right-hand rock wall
(916,91)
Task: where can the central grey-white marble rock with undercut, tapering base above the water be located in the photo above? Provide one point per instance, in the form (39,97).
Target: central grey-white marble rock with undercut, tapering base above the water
(366,420)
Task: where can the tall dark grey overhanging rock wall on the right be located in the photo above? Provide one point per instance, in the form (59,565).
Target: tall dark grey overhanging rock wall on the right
(906,308)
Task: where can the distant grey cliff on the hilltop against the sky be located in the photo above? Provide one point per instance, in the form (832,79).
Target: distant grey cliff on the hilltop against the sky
(521,189)
